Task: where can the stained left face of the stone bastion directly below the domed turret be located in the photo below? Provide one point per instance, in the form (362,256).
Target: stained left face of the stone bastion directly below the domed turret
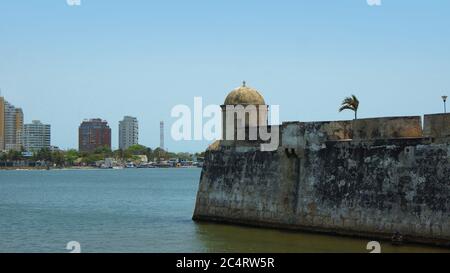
(245,187)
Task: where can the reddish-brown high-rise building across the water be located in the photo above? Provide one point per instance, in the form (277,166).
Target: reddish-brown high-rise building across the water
(93,134)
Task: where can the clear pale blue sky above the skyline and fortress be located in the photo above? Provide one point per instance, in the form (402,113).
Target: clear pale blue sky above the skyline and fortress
(108,59)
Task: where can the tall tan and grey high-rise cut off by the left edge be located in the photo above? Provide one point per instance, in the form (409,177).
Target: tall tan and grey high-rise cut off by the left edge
(11,126)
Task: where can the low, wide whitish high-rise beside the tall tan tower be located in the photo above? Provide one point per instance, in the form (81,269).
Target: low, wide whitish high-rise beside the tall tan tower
(36,136)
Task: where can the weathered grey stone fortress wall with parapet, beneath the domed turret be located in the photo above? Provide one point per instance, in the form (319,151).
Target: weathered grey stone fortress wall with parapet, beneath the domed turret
(367,177)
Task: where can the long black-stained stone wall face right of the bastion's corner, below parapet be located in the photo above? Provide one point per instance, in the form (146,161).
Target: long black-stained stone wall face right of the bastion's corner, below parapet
(378,188)
